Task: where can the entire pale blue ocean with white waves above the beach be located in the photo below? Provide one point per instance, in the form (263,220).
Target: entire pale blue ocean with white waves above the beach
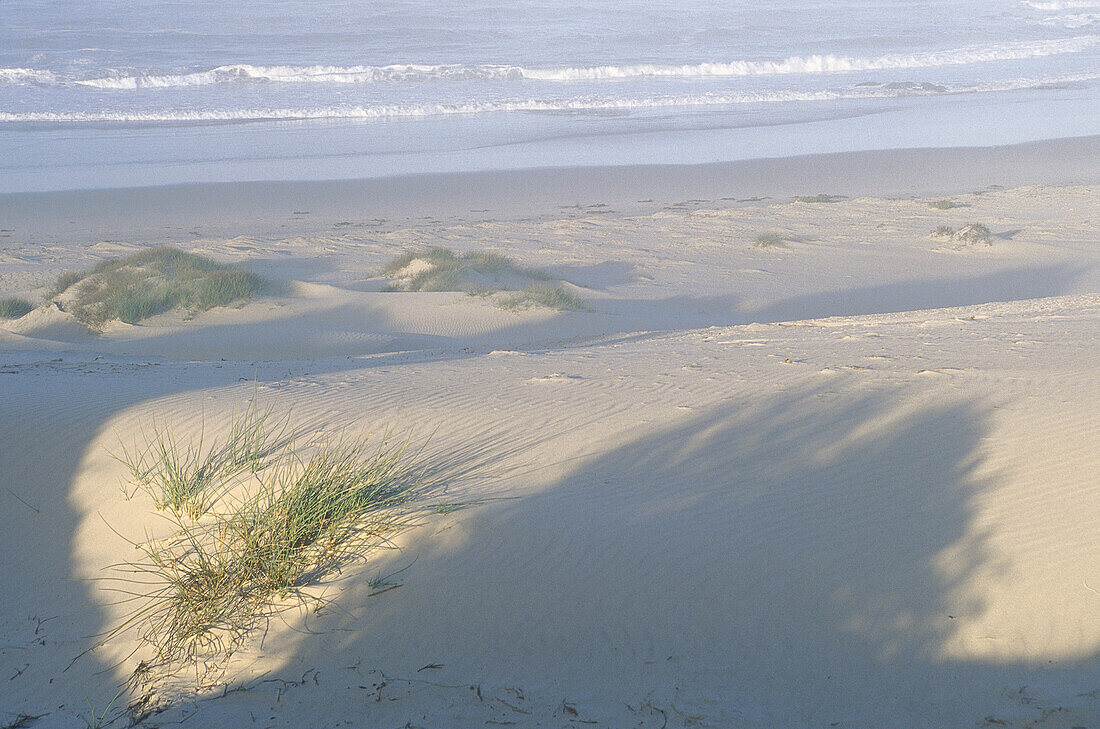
(123,93)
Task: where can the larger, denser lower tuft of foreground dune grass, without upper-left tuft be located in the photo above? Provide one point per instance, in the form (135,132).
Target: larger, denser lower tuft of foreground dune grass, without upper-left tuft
(221,579)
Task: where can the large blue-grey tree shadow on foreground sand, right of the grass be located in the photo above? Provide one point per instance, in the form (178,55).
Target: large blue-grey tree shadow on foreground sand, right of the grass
(793,561)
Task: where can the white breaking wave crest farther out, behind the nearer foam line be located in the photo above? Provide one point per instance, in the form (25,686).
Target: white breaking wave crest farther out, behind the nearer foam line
(816,64)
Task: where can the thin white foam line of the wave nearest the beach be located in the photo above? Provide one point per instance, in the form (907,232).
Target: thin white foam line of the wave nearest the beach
(564,105)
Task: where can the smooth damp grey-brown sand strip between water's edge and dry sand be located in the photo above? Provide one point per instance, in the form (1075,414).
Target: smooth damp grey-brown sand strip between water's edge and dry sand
(182,212)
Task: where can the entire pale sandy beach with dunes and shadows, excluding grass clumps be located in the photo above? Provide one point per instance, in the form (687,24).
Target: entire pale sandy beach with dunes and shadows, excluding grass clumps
(848,481)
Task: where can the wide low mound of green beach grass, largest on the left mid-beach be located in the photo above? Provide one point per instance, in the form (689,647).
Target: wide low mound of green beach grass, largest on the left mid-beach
(149,283)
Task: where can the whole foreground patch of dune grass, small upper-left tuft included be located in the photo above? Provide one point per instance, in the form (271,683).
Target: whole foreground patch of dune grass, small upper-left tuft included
(301,516)
